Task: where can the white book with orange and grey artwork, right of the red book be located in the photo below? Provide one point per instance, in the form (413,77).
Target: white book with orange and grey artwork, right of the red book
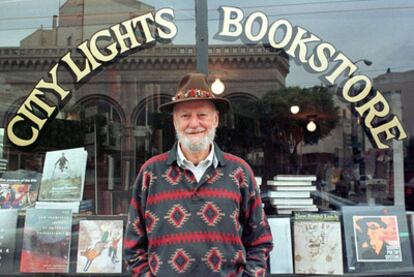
(100,246)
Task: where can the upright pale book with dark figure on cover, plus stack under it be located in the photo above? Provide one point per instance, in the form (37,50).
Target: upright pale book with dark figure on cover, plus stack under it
(63,181)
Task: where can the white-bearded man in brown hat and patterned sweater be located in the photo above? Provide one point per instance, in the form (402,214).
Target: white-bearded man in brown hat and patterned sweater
(196,211)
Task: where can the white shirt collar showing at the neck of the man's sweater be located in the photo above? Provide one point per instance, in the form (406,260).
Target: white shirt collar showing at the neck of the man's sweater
(200,169)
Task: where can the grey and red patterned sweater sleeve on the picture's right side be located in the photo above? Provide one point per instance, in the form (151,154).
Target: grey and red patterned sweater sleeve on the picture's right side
(256,236)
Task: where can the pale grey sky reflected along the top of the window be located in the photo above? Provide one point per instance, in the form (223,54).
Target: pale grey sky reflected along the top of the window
(377,30)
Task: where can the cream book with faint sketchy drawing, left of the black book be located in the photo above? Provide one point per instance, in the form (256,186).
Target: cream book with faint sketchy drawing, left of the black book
(317,244)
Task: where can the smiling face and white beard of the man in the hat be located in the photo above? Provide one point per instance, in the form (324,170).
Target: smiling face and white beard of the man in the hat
(195,123)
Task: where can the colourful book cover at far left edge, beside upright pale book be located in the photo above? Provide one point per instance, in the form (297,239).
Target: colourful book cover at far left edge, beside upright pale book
(18,193)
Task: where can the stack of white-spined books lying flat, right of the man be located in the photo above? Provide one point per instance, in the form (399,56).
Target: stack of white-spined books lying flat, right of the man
(291,193)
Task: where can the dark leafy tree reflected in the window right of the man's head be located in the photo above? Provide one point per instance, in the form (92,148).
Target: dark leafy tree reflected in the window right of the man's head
(269,125)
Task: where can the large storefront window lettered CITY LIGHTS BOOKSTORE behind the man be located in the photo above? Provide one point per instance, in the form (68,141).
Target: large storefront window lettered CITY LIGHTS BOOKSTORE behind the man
(78,74)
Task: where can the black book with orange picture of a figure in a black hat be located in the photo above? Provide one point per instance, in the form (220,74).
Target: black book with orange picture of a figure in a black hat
(377,239)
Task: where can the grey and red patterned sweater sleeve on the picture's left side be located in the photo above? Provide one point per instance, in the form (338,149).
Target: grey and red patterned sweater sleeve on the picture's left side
(136,241)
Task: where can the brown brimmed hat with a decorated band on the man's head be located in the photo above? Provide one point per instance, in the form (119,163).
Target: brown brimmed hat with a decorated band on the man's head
(194,87)
